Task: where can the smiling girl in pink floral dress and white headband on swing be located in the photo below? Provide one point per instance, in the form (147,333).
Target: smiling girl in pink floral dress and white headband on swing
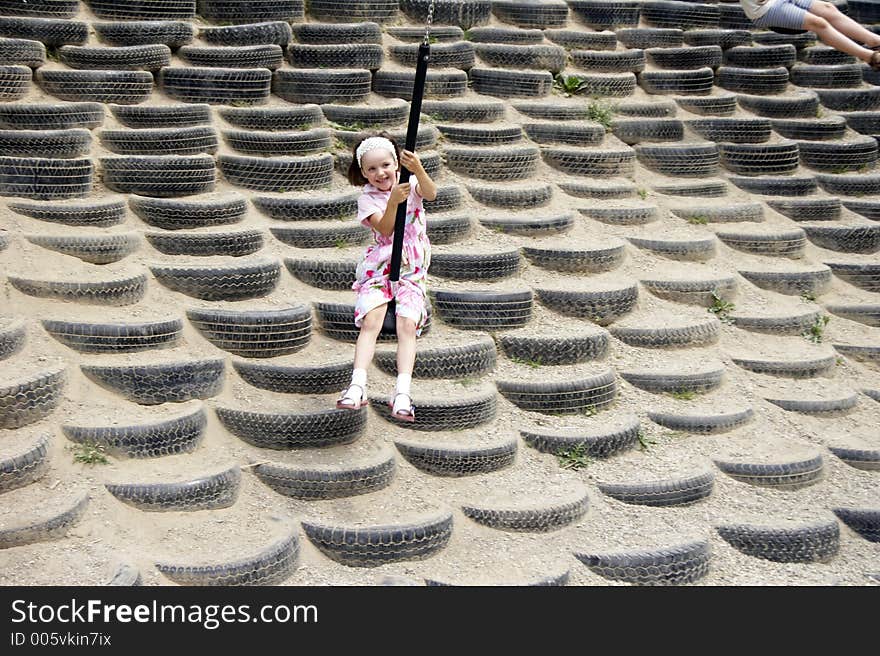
(376,165)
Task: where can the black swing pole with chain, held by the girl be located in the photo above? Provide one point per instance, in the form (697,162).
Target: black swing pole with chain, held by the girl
(389,325)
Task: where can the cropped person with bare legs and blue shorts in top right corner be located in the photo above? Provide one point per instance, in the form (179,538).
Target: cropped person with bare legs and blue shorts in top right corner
(833,27)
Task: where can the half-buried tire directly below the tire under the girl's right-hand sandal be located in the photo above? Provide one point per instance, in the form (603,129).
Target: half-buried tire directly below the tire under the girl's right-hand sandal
(452,462)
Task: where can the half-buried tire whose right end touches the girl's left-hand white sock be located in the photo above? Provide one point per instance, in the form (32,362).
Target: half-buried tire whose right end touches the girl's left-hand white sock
(321,379)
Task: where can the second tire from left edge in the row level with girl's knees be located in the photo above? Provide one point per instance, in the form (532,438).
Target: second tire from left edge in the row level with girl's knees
(115,338)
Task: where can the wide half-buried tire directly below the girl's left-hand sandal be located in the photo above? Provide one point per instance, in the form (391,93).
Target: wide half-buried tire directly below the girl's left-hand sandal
(284,431)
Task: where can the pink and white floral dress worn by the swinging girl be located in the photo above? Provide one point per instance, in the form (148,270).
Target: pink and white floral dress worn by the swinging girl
(372,278)
